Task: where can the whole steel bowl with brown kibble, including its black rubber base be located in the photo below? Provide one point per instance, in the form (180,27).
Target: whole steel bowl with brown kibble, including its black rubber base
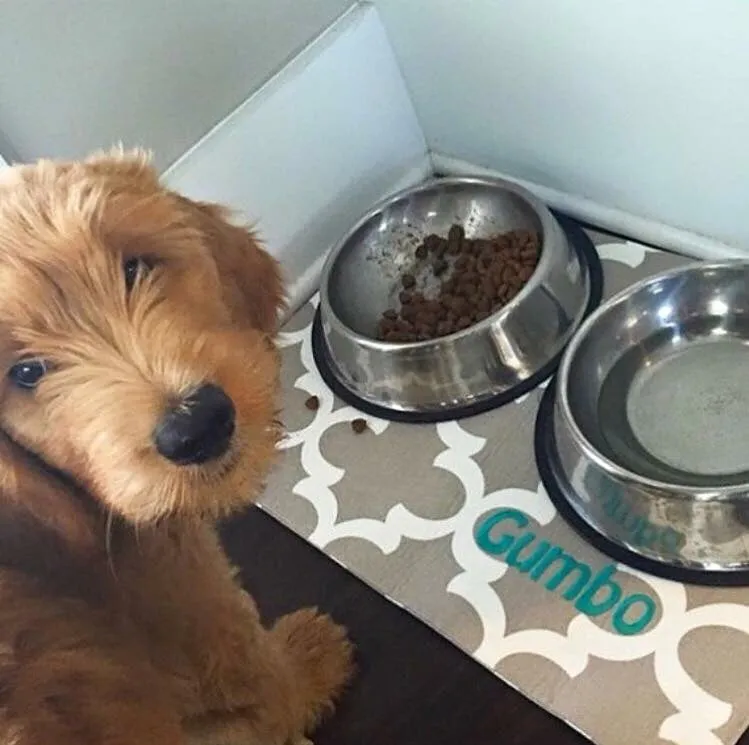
(499,283)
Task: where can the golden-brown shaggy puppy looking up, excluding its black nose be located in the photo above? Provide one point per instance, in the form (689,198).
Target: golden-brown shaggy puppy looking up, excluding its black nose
(121,622)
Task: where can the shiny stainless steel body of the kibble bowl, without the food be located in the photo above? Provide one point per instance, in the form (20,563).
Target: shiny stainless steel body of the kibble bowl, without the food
(361,280)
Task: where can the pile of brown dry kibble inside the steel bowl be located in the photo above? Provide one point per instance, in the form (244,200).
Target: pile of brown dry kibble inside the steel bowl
(475,278)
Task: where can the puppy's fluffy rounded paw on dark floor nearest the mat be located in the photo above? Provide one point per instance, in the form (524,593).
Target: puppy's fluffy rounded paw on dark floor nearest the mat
(321,653)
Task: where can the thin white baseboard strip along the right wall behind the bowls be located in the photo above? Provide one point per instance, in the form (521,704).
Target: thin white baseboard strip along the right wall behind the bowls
(616,221)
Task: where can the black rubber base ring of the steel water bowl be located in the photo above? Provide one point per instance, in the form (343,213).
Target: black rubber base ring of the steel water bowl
(558,487)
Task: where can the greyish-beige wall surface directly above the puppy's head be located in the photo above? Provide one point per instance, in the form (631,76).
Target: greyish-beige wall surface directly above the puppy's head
(82,74)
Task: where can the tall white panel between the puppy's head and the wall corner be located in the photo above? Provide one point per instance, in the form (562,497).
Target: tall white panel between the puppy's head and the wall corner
(305,156)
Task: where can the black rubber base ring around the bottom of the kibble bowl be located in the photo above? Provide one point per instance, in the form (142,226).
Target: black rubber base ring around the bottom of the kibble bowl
(590,261)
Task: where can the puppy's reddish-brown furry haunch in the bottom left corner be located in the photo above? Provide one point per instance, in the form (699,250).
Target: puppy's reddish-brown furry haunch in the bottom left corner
(69,675)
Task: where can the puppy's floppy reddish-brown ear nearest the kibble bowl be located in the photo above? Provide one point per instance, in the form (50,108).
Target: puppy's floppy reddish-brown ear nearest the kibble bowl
(250,276)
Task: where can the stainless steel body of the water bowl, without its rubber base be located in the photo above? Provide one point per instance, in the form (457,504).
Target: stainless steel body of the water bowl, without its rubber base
(651,418)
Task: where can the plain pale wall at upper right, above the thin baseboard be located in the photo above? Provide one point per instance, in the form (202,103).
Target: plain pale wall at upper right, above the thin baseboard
(639,105)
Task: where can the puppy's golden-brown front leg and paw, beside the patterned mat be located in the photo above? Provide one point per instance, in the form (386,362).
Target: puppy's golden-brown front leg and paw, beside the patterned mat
(277,683)
